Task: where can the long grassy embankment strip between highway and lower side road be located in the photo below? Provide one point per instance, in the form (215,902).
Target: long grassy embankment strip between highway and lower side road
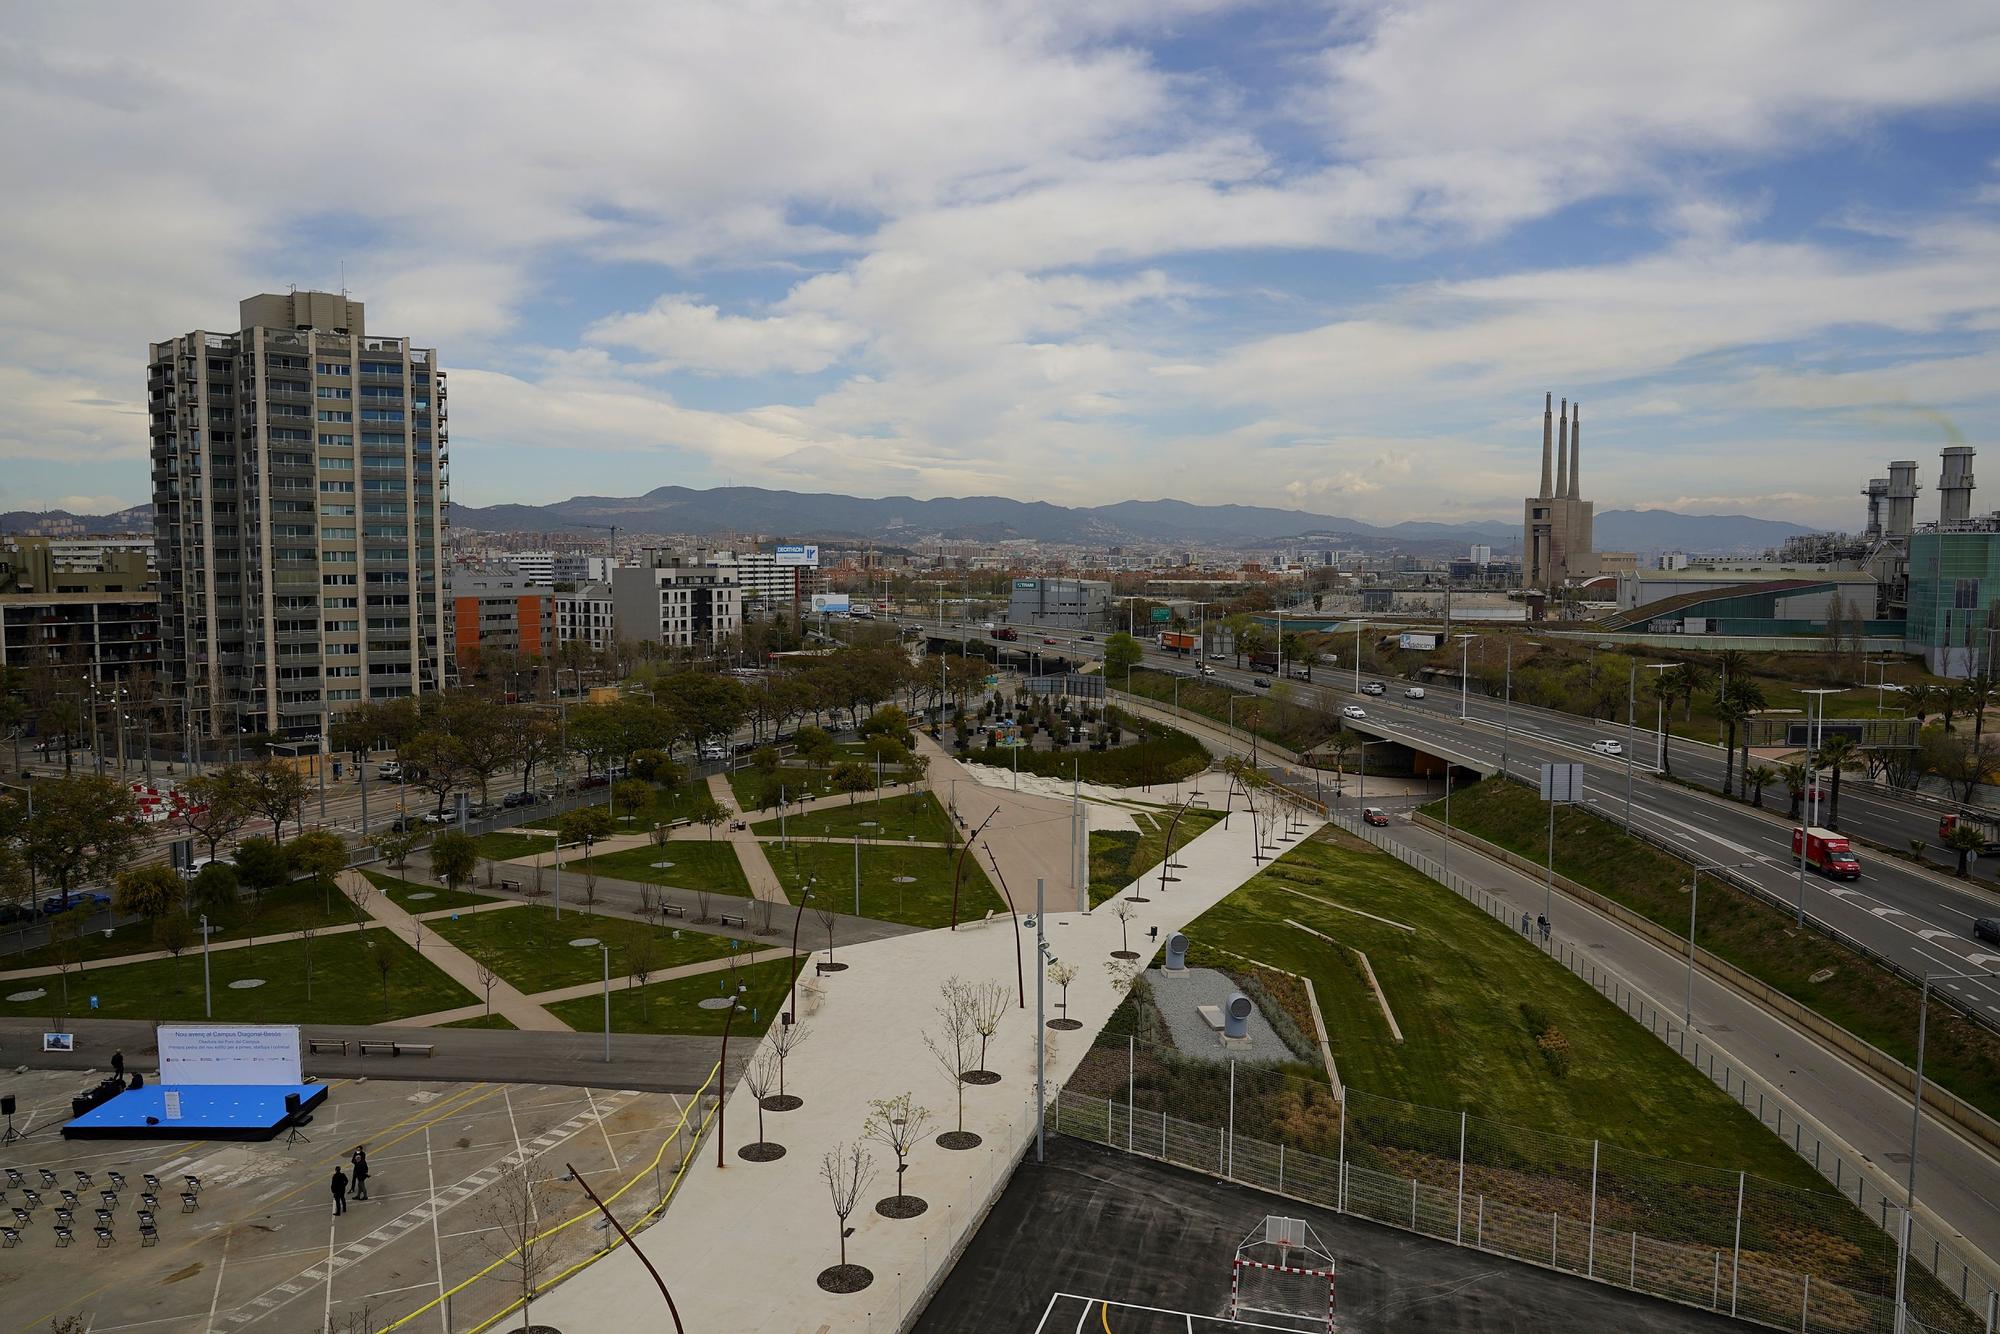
(1863,999)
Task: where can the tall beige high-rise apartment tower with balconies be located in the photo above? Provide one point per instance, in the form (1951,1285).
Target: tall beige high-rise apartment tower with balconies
(301,515)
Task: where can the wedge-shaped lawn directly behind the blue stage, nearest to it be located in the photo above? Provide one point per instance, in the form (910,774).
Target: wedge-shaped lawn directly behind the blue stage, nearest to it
(347,989)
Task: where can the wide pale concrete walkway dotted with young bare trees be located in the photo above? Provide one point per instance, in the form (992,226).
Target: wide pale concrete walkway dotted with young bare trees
(867,1043)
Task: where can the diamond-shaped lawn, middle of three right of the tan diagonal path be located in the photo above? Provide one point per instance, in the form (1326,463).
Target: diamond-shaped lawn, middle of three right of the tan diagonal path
(533,951)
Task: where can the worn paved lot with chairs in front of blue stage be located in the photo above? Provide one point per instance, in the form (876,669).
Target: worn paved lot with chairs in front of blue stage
(261,1249)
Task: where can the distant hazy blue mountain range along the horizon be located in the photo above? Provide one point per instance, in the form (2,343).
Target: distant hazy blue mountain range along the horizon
(905,521)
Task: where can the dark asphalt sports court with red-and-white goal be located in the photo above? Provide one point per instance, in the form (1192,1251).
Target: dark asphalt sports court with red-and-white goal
(1103,1243)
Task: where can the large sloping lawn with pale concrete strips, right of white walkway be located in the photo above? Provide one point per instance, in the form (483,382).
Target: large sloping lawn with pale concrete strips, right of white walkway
(1459,987)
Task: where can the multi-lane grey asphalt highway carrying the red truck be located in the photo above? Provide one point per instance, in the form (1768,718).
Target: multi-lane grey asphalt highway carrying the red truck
(1913,917)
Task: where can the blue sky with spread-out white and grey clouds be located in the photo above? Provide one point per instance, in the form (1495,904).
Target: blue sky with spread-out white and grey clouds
(1319,257)
